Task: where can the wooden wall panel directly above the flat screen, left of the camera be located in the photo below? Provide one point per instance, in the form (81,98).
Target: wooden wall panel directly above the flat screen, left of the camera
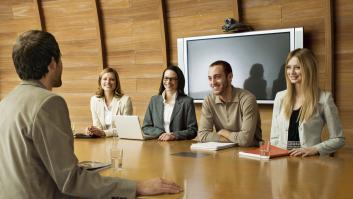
(195,18)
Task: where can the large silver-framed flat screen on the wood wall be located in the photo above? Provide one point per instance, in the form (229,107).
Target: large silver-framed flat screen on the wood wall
(257,59)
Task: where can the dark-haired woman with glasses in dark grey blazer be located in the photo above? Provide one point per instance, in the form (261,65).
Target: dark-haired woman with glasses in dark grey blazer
(171,114)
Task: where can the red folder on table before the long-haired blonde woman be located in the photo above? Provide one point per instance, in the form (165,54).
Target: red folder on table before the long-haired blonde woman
(255,153)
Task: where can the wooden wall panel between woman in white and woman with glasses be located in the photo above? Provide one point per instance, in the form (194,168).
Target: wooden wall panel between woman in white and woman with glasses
(135,43)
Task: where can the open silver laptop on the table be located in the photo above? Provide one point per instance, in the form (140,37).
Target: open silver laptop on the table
(128,127)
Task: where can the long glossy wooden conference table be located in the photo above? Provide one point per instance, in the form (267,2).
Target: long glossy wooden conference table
(223,174)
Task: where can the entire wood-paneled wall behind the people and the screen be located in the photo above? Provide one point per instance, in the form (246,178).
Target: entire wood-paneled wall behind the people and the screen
(138,38)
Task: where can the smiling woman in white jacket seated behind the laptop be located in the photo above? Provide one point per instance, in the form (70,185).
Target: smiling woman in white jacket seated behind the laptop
(108,101)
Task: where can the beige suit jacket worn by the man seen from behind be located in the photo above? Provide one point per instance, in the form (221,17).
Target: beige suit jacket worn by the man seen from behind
(37,155)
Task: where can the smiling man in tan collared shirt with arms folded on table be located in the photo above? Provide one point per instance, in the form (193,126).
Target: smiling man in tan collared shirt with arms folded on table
(232,111)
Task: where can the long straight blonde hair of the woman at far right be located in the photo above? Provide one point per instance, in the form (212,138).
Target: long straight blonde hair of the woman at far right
(309,85)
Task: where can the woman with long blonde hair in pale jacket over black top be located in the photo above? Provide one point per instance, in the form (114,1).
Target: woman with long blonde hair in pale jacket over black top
(301,111)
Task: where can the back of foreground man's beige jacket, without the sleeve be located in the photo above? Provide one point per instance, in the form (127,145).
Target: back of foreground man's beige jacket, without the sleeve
(25,174)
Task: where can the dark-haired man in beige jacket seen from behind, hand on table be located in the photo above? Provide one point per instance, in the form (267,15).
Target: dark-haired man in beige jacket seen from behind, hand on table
(36,143)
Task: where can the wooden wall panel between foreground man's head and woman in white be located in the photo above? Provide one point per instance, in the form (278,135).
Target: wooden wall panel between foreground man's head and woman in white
(75,26)
